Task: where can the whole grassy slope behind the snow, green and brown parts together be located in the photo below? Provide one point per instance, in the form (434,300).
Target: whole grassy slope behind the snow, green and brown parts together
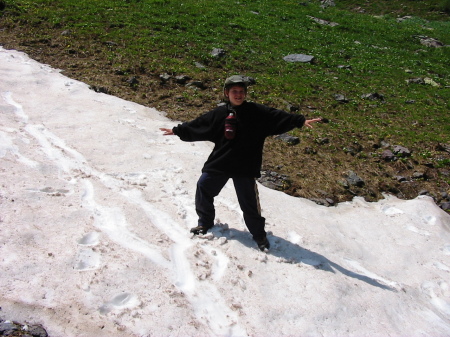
(108,42)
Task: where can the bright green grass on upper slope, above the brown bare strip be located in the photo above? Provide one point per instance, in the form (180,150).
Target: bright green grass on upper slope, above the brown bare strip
(169,36)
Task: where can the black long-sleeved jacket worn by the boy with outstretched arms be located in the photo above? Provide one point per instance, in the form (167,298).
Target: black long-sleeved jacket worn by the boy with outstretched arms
(243,155)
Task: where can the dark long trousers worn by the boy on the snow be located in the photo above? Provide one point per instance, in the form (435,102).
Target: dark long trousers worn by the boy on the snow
(209,186)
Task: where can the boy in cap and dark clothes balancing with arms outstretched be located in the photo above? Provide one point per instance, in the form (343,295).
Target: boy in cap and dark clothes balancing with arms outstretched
(237,154)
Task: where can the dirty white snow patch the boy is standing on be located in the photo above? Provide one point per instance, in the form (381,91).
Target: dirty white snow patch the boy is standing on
(95,210)
